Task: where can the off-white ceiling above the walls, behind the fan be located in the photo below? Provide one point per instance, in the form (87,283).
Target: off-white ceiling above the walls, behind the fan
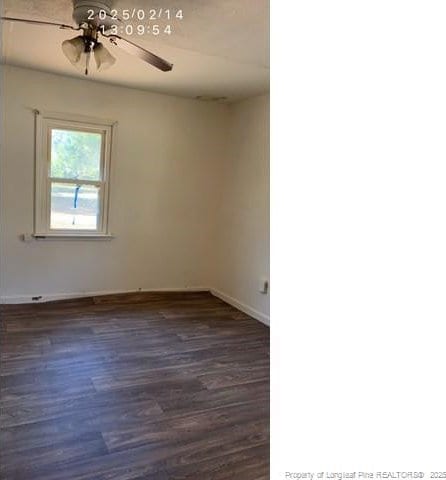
(220,48)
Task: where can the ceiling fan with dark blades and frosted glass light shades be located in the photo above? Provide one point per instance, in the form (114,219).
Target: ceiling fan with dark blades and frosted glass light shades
(94,19)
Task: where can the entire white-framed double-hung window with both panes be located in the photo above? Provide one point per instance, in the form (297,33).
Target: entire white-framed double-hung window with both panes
(72,175)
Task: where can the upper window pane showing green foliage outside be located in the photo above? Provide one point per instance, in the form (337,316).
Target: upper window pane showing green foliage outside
(75,155)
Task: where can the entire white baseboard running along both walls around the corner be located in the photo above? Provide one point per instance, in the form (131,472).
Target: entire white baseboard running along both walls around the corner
(51,297)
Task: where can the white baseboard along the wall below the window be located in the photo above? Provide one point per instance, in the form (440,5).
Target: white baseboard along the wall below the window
(51,297)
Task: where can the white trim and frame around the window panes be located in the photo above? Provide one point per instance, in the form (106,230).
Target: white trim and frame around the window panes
(44,122)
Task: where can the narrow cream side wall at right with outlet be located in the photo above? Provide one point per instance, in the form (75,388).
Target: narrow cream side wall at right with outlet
(242,233)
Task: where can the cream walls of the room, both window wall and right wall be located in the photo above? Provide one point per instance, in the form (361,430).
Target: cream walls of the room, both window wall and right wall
(189,197)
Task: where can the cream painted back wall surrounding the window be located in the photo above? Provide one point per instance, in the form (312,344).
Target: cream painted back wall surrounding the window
(166,170)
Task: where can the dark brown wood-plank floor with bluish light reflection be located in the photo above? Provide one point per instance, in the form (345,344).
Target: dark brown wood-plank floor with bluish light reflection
(133,387)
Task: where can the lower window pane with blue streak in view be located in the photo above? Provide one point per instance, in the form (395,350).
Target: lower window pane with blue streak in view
(74,207)
